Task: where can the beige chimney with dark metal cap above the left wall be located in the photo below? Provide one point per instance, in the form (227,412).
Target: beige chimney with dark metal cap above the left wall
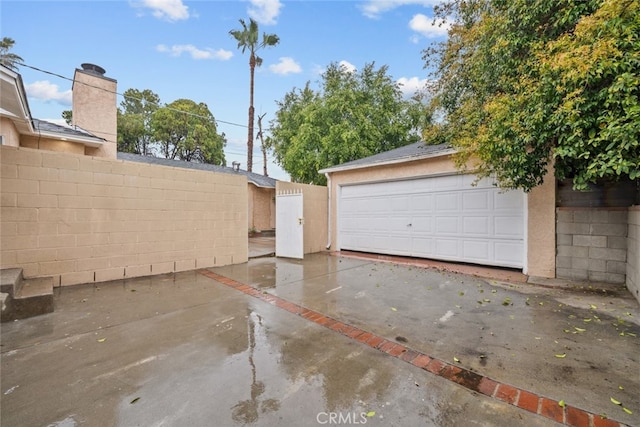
(94,108)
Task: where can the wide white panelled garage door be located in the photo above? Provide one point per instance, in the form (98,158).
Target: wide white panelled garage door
(443,217)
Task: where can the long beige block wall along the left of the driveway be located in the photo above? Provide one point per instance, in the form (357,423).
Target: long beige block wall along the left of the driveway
(81,219)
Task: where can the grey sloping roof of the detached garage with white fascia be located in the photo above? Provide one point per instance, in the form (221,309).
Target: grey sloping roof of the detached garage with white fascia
(415,151)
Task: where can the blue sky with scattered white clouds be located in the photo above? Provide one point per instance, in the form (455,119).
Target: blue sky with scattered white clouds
(182,49)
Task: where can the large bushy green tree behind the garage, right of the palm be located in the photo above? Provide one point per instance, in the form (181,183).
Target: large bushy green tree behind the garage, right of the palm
(353,115)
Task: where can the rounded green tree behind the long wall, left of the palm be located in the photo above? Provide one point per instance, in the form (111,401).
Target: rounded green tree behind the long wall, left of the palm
(187,131)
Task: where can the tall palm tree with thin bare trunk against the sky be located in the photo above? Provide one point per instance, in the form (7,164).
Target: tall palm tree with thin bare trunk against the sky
(247,38)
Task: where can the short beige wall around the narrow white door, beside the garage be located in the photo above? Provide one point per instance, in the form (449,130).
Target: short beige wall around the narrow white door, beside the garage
(314,211)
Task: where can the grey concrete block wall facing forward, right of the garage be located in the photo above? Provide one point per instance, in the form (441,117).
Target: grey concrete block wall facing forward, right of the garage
(592,244)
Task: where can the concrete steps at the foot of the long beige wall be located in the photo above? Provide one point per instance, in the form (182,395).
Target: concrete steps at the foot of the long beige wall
(24,298)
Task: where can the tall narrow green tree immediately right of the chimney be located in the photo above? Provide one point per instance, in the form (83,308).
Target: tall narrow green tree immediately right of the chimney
(134,121)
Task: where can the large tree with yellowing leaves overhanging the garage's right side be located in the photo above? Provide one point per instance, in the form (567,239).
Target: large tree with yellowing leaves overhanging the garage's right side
(524,84)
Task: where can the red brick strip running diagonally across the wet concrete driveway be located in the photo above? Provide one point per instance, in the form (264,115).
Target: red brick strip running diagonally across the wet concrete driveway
(532,402)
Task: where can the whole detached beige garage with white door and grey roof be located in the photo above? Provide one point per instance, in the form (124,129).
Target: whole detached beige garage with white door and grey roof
(412,201)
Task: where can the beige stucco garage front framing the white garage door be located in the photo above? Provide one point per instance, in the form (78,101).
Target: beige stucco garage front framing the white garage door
(540,215)
